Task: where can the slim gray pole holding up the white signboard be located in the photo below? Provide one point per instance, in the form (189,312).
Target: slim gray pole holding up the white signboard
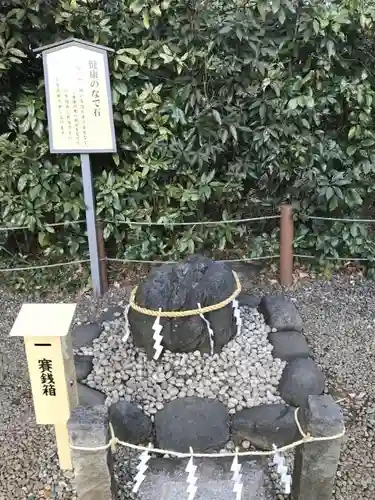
(88,193)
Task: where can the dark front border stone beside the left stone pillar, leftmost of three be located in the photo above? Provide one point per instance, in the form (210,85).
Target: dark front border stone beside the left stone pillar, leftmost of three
(129,422)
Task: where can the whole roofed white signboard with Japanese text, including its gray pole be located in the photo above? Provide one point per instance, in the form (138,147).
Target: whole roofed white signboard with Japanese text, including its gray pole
(80,117)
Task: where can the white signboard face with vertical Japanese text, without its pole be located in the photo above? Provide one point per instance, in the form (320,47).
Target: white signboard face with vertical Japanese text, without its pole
(78,99)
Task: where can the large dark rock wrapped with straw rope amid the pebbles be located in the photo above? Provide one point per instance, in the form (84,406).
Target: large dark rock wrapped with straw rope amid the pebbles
(181,287)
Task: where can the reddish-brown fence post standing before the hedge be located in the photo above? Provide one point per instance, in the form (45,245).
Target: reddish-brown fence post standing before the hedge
(286,245)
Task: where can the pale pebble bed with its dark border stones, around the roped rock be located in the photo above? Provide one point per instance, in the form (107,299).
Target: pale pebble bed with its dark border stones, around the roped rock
(243,395)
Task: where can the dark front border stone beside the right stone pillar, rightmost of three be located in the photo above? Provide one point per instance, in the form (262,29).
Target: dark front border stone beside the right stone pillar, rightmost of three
(265,425)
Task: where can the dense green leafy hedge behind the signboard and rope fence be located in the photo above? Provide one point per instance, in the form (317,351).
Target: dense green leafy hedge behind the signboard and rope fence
(223,109)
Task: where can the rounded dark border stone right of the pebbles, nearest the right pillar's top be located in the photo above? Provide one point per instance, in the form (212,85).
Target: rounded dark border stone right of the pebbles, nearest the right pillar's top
(301,378)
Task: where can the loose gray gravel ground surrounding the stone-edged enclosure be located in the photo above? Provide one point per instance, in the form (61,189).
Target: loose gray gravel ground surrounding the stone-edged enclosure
(339,322)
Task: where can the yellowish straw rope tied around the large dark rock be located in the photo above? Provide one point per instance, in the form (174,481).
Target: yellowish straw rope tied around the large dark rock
(183,314)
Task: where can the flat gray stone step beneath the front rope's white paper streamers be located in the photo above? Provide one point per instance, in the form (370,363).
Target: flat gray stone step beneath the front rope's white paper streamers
(166,480)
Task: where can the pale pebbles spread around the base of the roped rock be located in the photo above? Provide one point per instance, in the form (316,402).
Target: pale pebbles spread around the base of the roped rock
(244,374)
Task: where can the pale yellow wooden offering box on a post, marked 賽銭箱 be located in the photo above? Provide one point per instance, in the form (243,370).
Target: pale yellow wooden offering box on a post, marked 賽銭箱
(48,345)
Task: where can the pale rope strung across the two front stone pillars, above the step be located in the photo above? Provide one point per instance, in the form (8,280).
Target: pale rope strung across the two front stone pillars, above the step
(306,438)
